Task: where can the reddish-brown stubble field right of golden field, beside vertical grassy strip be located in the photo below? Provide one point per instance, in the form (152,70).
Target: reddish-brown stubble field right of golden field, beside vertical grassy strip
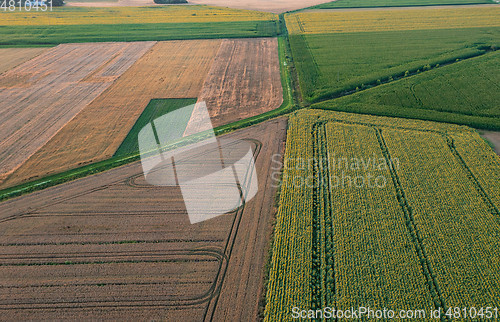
(244,81)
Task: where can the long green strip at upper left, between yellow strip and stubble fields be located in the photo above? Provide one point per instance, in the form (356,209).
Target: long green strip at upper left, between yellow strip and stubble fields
(58,34)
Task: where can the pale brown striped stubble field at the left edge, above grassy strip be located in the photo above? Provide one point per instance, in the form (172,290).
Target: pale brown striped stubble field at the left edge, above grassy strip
(42,95)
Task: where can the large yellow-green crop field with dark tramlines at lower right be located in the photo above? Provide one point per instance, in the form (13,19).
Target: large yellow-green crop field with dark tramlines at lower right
(425,235)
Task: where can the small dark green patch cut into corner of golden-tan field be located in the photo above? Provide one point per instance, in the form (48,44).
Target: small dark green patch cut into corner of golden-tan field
(155,109)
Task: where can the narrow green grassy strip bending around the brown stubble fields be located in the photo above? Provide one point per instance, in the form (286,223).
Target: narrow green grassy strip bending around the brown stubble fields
(115,162)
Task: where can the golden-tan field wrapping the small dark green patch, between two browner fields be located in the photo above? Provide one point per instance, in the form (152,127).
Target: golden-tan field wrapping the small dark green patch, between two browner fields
(173,69)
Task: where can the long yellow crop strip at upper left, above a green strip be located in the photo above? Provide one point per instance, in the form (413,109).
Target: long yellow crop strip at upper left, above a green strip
(131,15)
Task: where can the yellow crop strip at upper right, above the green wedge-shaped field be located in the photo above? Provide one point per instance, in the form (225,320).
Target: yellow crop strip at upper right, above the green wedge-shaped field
(385,20)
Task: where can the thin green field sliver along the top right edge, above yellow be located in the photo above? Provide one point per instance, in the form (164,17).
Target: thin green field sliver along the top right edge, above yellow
(395,3)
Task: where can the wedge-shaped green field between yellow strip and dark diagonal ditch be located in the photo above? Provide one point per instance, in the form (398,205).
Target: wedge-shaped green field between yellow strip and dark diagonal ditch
(329,65)
